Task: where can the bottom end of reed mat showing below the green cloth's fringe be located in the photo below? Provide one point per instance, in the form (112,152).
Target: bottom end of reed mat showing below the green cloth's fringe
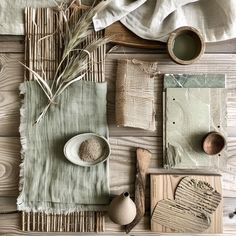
(84,221)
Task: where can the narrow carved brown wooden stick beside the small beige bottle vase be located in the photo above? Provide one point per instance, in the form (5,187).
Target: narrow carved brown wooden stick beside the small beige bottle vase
(143,160)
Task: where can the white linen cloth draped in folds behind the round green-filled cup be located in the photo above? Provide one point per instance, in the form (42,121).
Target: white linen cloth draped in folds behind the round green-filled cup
(155,19)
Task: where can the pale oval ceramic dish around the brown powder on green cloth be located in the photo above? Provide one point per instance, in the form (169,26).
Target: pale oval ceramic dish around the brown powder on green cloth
(71,149)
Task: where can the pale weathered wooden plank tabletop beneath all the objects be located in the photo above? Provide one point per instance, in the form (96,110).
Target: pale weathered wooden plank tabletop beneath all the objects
(219,58)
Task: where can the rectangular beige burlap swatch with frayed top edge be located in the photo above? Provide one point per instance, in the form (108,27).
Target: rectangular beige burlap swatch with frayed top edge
(135,94)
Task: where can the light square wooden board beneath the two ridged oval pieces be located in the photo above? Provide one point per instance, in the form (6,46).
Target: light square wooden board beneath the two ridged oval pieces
(163,186)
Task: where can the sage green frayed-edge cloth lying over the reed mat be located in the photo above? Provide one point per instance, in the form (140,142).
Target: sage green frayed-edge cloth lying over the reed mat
(49,182)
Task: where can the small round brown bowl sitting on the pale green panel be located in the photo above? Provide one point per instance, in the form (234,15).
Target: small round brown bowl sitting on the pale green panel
(213,143)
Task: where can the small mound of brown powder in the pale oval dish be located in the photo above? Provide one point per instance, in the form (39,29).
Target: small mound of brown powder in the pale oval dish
(92,149)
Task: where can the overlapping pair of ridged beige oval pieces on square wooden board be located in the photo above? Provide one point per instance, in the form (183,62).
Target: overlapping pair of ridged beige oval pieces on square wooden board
(190,211)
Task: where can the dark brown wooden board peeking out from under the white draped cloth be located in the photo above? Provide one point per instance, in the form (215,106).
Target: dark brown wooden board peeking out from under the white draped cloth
(121,35)
